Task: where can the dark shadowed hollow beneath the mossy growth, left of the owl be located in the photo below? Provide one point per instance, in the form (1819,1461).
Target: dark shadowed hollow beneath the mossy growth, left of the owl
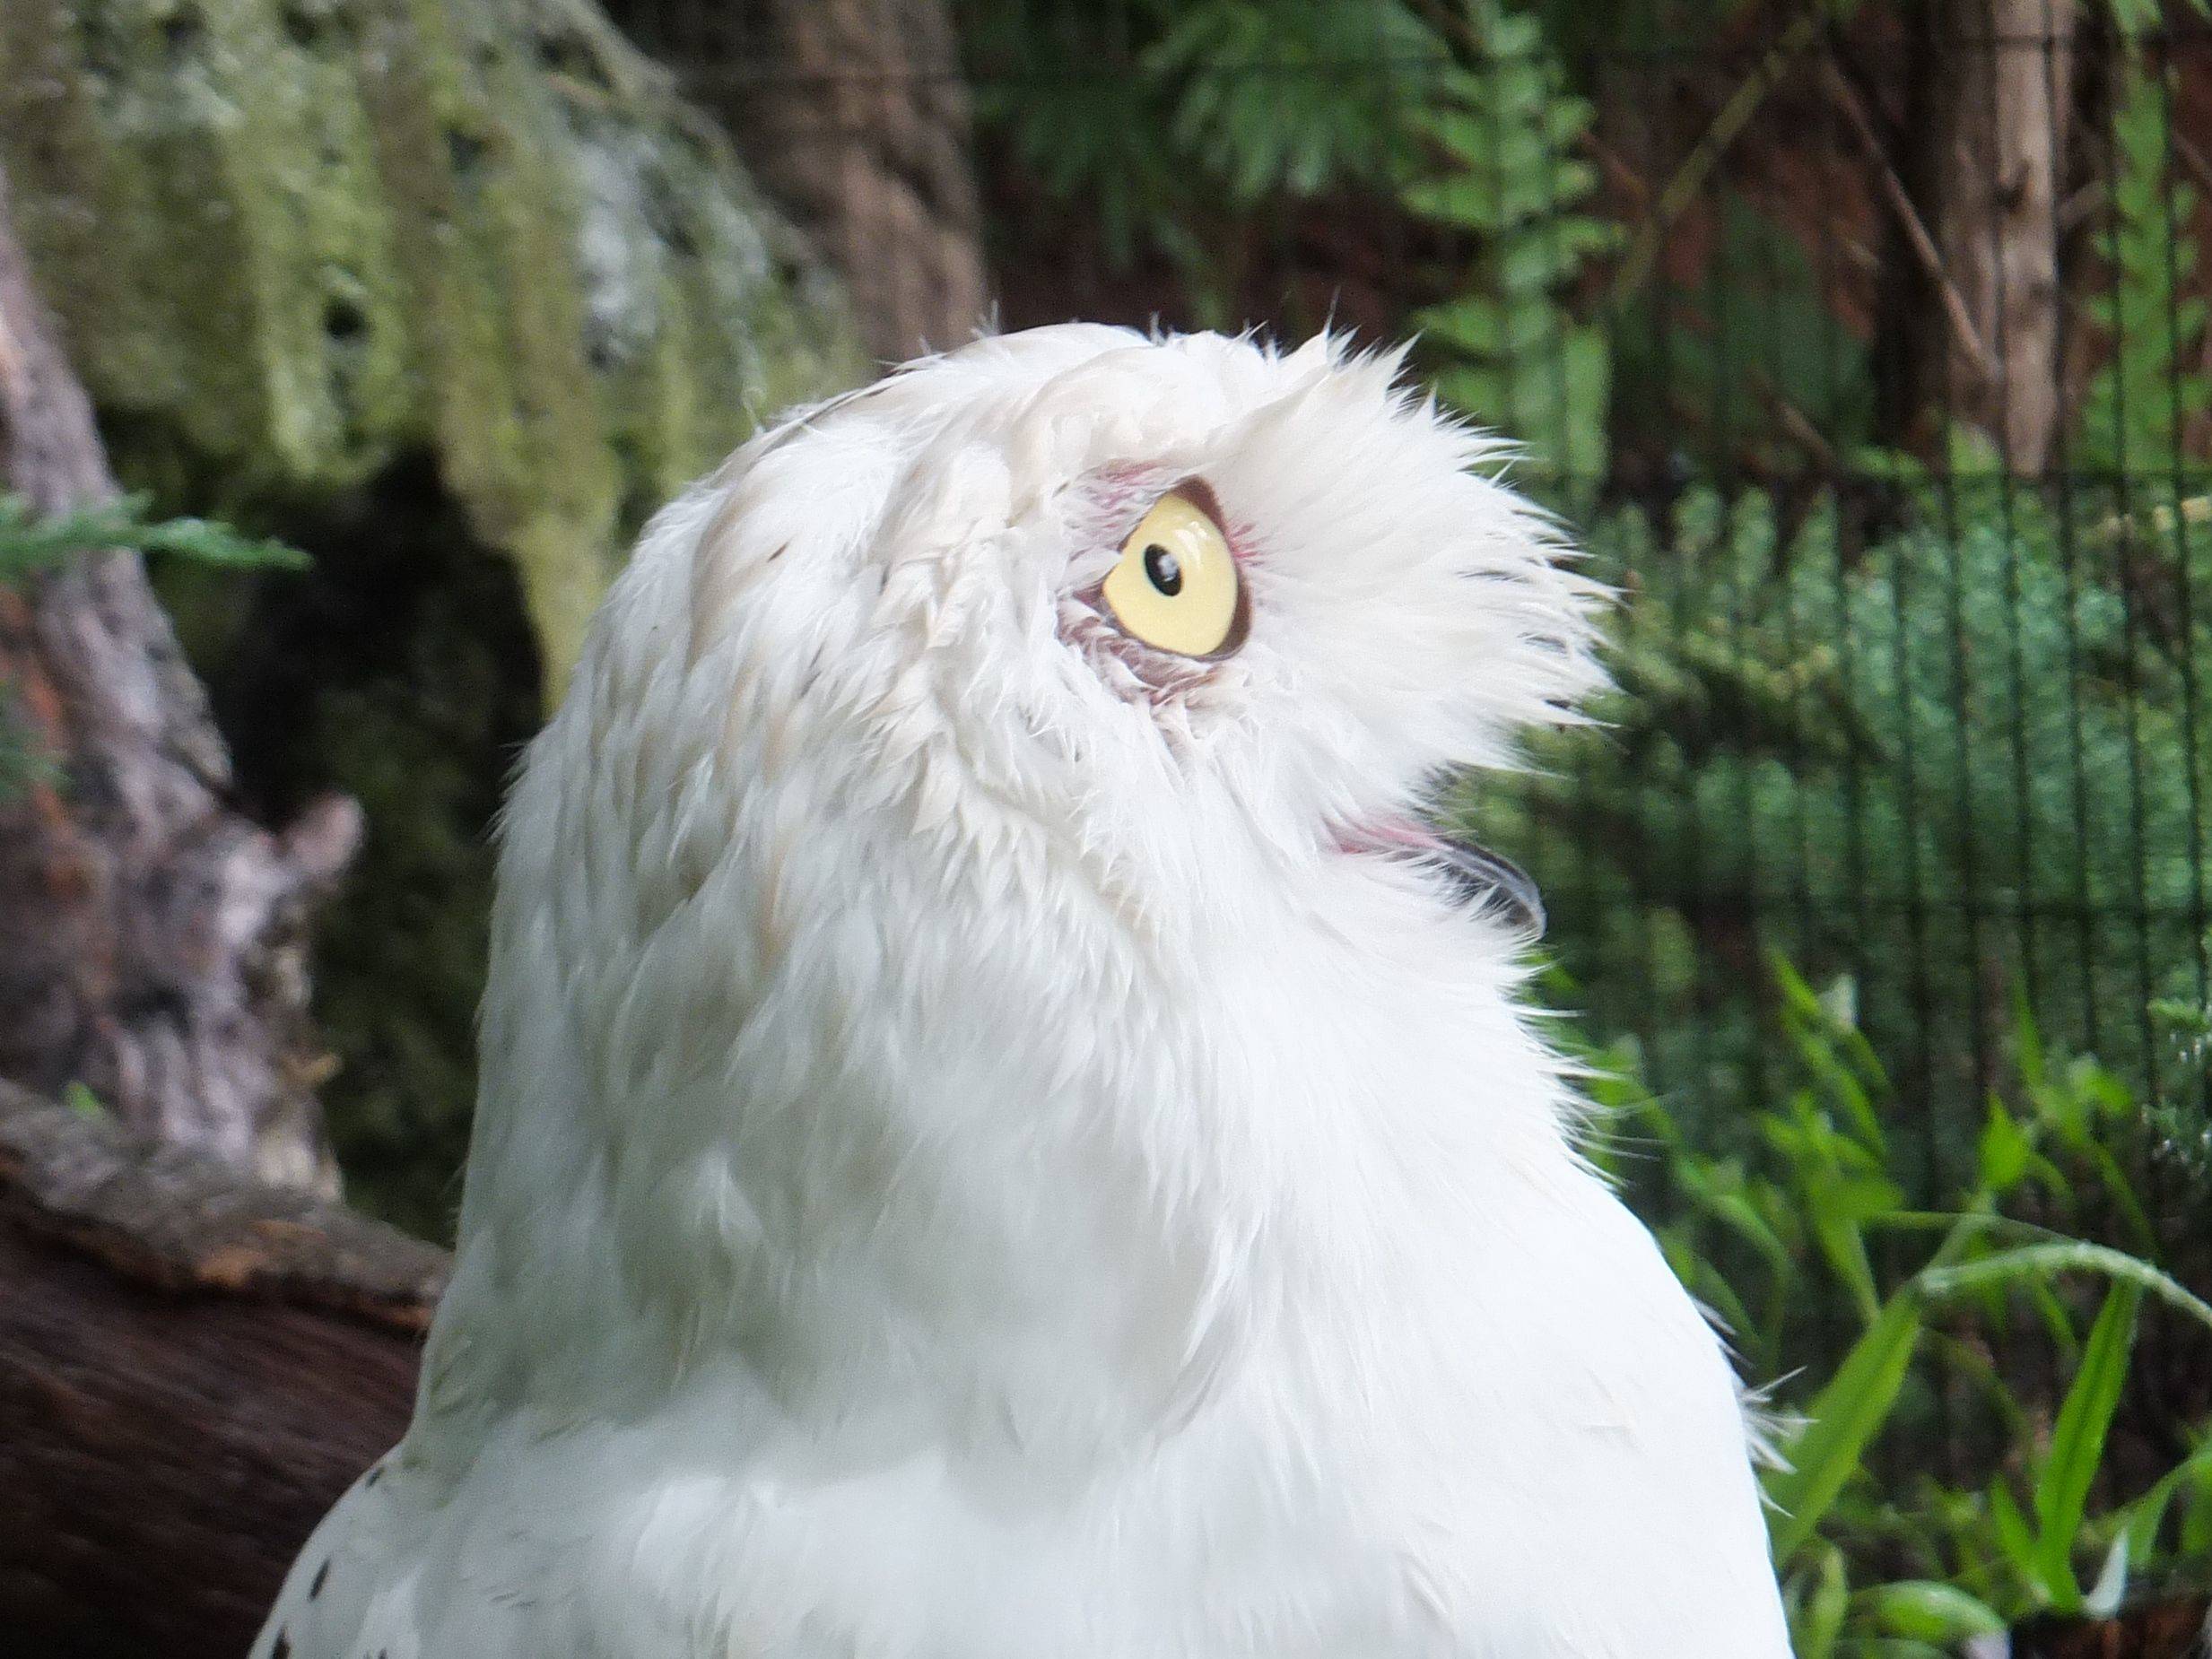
(401,671)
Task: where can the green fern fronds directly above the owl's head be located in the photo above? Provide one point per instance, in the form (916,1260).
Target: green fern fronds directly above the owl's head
(1231,109)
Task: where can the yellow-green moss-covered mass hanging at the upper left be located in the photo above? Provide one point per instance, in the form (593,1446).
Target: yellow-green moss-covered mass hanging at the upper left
(295,240)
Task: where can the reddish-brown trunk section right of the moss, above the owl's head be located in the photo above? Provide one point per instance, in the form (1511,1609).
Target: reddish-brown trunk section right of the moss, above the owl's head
(859,125)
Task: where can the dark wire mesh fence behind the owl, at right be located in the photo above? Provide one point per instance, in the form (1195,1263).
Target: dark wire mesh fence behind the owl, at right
(1866,348)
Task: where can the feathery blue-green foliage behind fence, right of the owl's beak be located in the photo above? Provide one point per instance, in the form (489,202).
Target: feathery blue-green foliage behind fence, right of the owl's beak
(1941,735)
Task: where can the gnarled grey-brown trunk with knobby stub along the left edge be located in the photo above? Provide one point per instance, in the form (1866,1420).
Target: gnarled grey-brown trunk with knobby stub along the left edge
(154,943)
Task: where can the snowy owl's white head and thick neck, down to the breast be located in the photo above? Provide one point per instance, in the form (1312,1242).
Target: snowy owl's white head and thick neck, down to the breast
(988,822)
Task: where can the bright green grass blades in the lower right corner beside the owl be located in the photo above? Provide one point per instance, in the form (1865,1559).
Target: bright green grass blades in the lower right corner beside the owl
(1784,1242)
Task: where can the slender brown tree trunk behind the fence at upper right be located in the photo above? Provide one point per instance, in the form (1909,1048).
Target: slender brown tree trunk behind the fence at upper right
(1996,174)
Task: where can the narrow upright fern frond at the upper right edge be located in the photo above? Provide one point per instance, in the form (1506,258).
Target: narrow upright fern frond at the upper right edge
(2153,315)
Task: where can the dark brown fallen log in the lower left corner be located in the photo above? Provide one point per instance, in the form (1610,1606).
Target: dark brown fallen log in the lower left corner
(194,1368)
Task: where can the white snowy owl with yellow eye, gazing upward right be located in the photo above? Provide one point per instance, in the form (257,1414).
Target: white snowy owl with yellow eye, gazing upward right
(1001,1131)
